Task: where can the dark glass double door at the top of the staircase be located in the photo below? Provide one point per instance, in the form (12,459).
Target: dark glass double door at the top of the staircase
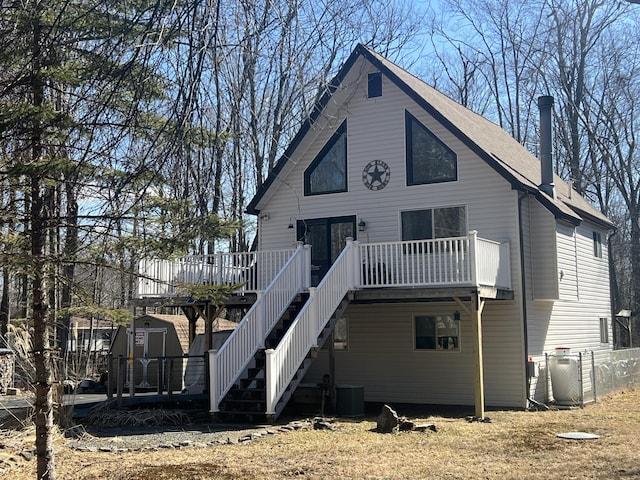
(327,237)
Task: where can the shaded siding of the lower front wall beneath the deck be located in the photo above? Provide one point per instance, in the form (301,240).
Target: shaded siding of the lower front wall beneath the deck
(382,358)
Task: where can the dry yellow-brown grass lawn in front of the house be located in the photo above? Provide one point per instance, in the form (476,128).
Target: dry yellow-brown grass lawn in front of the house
(515,445)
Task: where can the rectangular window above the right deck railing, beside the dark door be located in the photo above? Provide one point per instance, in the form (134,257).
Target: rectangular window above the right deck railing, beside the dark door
(433,223)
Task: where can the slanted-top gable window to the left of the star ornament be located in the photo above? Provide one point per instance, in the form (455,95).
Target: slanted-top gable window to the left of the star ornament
(328,171)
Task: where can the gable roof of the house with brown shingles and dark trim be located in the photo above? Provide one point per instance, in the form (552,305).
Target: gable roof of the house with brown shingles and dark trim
(485,138)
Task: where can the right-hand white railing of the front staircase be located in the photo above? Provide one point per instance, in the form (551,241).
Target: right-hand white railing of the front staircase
(283,362)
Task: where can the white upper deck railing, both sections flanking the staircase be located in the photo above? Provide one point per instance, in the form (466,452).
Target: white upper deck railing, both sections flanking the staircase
(452,261)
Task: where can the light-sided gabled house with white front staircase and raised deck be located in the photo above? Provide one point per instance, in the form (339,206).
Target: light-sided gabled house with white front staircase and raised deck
(437,252)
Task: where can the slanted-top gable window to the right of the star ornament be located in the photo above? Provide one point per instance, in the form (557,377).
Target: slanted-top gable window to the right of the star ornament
(428,159)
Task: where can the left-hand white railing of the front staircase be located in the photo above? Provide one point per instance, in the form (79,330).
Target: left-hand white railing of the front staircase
(227,363)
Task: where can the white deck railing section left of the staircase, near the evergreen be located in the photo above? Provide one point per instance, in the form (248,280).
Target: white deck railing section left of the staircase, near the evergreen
(253,270)
